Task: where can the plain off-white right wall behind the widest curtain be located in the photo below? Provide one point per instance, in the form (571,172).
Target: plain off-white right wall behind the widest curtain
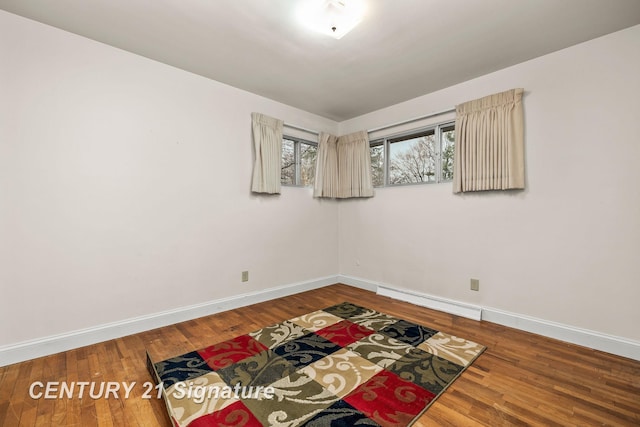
(565,250)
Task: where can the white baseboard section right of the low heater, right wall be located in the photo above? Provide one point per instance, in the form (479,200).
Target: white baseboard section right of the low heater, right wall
(608,343)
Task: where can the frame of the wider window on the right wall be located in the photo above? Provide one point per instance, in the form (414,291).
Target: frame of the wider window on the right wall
(386,141)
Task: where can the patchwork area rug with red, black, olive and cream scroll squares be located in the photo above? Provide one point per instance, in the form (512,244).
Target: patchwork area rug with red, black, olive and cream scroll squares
(344,365)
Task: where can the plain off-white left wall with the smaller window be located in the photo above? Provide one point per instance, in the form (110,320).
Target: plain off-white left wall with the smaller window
(125,188)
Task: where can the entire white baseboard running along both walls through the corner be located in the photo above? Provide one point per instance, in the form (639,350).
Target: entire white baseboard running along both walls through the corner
(62,342)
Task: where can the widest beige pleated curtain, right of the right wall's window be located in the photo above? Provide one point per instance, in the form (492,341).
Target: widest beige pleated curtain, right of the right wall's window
(489,147)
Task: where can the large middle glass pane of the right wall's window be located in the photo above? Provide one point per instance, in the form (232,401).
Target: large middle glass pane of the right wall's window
(412,159)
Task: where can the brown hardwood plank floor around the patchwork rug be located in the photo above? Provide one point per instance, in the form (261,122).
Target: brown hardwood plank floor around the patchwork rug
(521,379)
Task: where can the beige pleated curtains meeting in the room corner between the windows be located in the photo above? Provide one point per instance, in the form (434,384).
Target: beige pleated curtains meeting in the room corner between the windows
(343,166)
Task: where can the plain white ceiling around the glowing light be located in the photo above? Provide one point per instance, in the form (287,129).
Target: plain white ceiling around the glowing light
(402,49)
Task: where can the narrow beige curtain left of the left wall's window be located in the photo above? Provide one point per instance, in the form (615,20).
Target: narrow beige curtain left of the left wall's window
(267,143)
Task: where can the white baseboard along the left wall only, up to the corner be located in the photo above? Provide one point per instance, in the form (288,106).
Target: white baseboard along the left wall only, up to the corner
(45,346)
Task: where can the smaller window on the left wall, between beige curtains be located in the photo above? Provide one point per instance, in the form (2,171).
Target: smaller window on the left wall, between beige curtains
(298,166)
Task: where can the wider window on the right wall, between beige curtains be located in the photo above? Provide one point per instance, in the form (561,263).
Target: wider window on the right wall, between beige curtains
(423,156)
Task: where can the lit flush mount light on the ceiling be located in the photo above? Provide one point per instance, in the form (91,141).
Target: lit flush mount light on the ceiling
(334,18)
